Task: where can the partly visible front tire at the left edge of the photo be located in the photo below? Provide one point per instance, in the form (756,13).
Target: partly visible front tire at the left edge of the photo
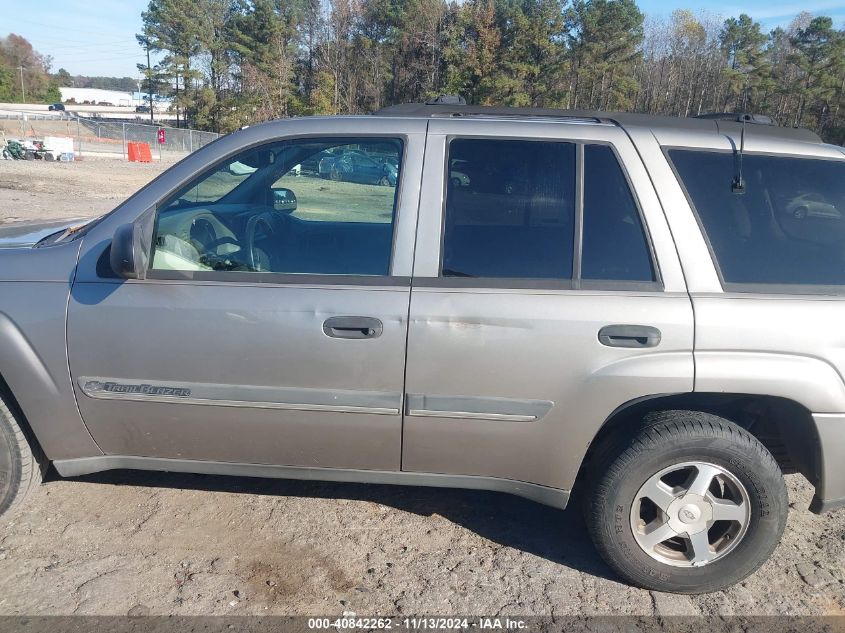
(20,471)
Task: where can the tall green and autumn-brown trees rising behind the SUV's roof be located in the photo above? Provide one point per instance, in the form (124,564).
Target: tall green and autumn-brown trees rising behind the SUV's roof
(235,62)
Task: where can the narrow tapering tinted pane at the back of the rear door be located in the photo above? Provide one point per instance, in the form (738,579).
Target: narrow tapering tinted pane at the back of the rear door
(615,246)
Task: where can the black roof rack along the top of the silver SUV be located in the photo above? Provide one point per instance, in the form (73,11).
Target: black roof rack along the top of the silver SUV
(718,123)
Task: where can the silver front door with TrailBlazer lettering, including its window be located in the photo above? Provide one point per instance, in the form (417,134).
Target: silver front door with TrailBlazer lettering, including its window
(271,326)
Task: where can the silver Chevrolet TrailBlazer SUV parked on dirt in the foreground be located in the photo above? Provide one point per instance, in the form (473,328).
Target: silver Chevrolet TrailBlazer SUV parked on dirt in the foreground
(645,311)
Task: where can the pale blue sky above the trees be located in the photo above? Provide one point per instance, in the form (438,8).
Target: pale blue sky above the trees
(97,37)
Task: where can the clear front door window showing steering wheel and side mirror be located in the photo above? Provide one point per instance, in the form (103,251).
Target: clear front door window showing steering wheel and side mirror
(304,206)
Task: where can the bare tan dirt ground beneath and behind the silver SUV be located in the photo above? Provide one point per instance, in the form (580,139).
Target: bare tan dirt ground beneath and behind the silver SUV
(120,543)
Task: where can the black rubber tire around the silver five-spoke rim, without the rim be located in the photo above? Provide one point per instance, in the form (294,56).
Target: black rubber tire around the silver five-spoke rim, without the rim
(622,467)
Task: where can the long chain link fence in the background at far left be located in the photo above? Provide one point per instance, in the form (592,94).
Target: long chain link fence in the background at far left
(104,137)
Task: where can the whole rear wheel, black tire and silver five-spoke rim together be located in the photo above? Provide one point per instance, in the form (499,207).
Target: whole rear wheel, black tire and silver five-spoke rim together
(692,504)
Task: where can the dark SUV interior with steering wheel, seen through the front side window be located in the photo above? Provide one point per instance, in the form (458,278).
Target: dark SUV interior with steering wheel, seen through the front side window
(245,230)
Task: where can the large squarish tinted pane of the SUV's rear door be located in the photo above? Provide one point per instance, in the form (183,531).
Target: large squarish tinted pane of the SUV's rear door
(509,209)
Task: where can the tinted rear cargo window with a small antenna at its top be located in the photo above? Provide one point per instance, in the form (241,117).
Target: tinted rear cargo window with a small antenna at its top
(787,228)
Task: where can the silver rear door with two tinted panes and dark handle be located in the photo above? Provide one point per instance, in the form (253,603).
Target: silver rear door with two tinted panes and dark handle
(547,292)
